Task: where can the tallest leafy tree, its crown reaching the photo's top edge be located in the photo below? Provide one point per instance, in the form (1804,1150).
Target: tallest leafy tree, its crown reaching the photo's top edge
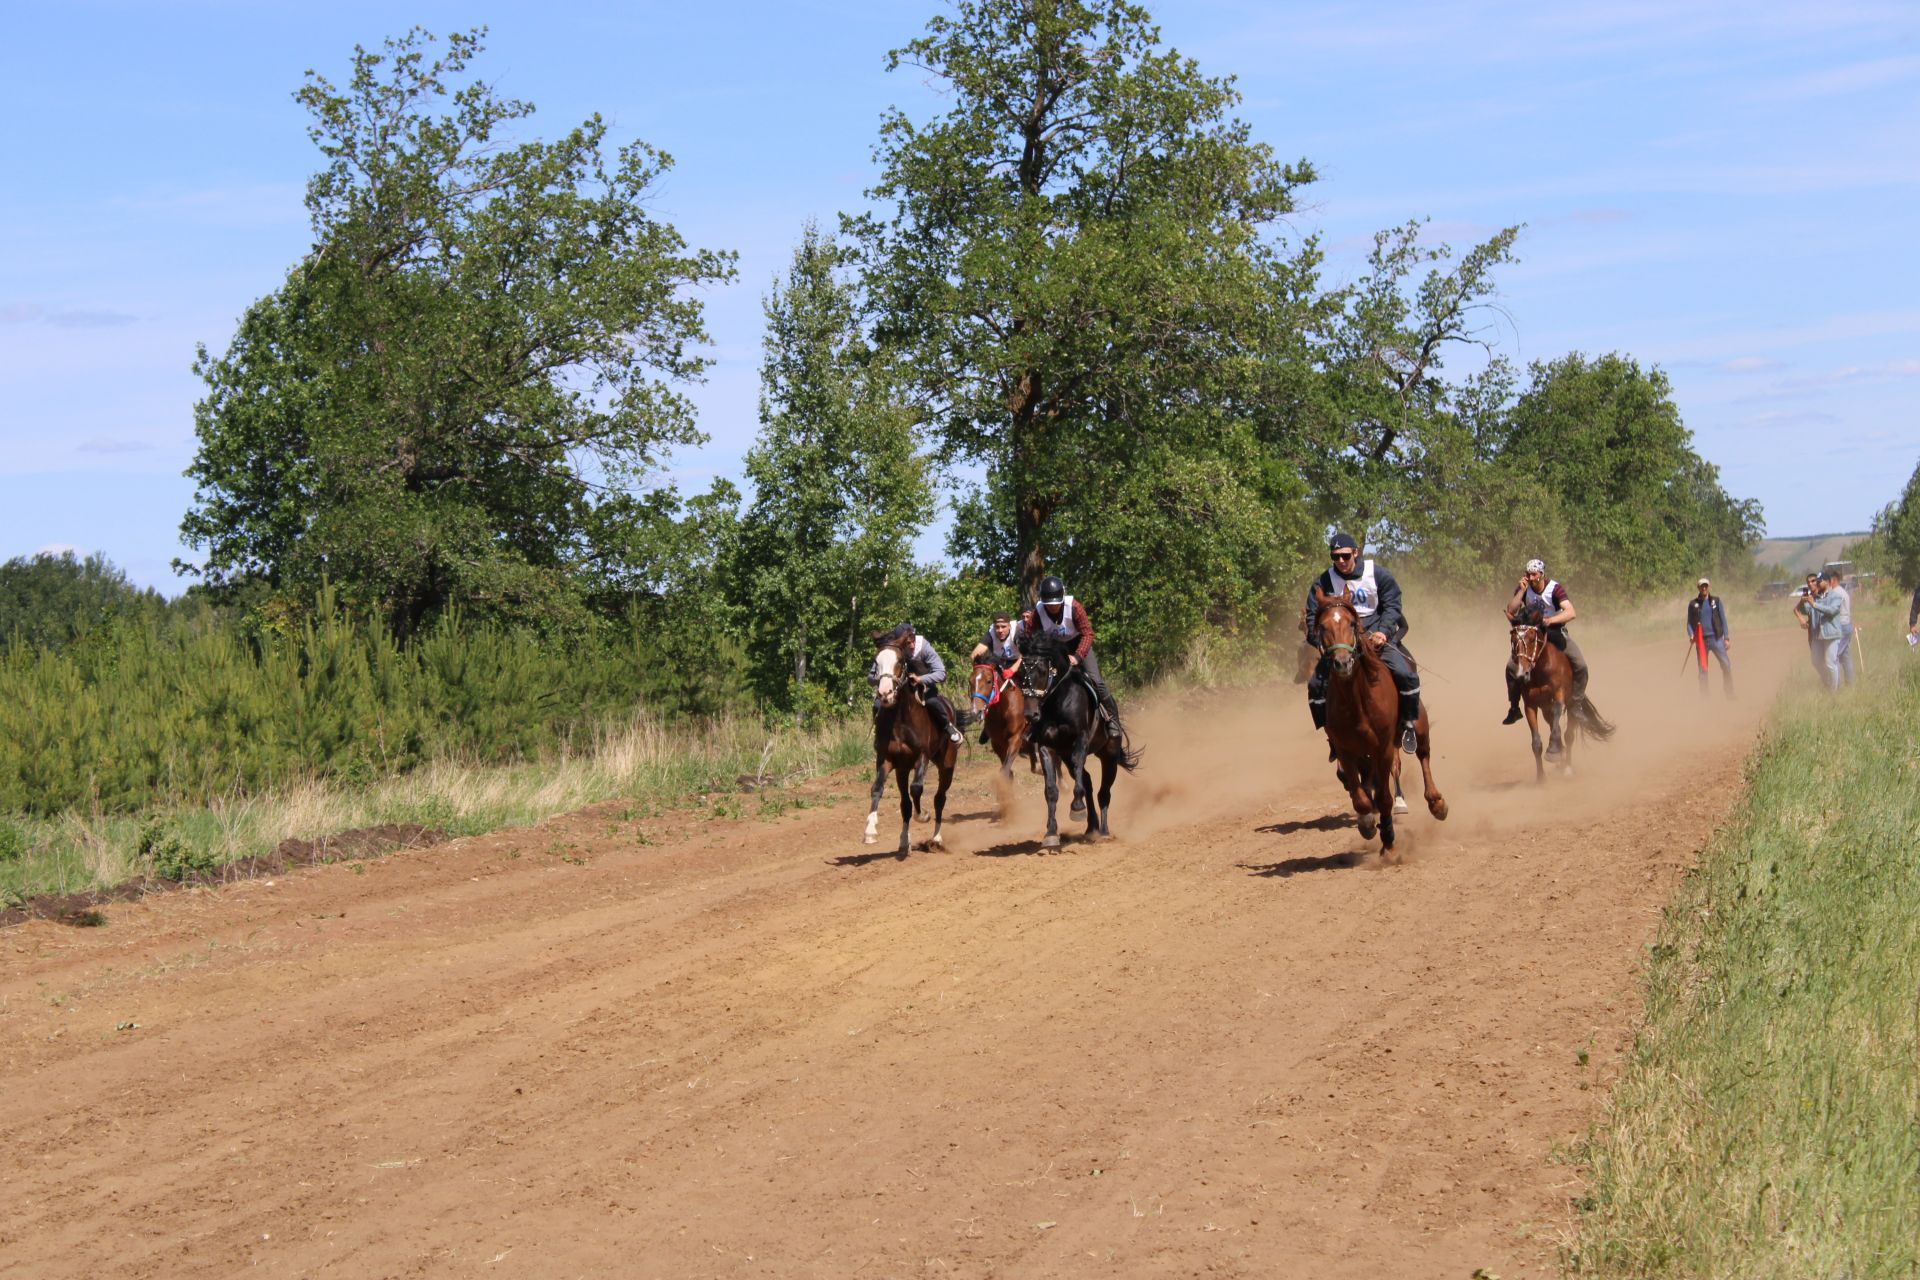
(1078,268)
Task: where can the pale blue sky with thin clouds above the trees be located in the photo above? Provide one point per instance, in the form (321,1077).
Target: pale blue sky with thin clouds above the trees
(1727,191)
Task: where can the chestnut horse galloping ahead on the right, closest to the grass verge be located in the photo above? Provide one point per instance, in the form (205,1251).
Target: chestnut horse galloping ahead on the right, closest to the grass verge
(1362,724)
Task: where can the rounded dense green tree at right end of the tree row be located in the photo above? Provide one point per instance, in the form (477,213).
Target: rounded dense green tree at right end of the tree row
(1639,506)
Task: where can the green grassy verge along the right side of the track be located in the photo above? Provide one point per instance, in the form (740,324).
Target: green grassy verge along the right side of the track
(1767,1120)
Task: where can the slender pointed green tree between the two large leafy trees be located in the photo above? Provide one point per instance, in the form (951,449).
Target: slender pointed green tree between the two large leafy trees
(840,488)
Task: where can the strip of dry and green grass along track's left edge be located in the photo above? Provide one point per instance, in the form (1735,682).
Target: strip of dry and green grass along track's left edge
(644,761)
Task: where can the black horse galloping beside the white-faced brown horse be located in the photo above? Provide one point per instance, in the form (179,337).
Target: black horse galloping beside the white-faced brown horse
(1065,723)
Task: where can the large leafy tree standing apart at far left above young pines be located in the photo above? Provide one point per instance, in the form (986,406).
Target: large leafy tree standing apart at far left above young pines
(456,396)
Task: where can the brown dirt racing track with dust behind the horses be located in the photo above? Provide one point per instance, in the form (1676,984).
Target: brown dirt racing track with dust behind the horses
(1224,1045)
